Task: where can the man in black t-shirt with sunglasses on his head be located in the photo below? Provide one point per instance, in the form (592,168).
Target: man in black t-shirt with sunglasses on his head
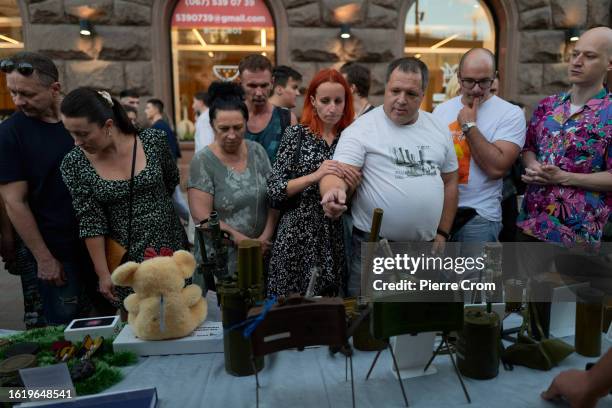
(33,142)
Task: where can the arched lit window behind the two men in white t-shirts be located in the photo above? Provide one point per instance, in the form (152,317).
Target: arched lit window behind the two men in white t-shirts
(439,32)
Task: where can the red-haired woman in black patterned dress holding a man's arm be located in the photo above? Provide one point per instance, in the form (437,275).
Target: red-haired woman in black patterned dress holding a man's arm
(306,240)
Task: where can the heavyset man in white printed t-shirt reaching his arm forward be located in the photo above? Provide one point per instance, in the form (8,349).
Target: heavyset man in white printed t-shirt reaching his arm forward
(408,165)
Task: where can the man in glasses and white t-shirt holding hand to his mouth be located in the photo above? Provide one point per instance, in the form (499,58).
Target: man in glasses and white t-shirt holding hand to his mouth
(488,134)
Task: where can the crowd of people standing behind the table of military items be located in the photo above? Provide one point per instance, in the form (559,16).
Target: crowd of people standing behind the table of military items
(77,173)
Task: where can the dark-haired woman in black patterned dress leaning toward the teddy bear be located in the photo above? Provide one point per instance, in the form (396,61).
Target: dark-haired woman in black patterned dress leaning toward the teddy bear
(97,173)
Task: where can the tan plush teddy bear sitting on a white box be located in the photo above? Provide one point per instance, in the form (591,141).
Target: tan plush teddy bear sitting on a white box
(159,281)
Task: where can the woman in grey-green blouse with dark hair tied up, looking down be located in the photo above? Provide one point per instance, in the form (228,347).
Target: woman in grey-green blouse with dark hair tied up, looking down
(229,175)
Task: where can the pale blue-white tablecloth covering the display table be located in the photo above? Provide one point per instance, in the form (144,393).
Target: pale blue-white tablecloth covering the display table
(314,378)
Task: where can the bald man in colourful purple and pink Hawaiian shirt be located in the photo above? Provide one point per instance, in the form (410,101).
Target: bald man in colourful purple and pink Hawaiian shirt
(567,160)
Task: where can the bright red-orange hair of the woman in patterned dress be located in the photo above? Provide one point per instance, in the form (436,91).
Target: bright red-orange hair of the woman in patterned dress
(309,114)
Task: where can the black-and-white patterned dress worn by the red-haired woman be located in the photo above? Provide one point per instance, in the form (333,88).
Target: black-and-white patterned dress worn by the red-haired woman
(305,237)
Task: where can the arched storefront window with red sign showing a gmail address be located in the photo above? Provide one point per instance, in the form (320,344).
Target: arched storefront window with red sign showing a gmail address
(209,38)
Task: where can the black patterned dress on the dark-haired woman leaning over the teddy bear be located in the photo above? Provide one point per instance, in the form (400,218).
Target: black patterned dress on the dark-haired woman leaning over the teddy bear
(102,205)
